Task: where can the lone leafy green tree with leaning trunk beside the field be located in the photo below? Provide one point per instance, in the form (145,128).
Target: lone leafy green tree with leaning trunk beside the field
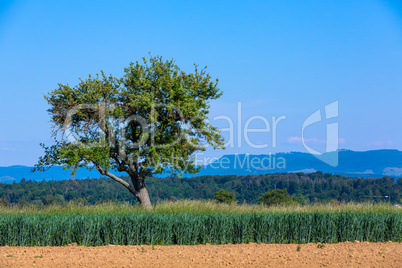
(151,120)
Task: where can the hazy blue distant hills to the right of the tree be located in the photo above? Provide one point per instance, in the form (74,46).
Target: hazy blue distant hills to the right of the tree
(366,164)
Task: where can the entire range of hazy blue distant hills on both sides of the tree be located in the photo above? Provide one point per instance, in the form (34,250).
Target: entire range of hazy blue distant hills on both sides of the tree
(374,164)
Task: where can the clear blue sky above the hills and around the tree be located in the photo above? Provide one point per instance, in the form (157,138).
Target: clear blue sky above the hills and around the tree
(279,58)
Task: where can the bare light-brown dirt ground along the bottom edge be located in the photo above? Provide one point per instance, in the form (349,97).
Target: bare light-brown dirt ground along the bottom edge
(243,255)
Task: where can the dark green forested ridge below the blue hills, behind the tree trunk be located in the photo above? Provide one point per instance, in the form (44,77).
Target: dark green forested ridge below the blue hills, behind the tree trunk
(314,187)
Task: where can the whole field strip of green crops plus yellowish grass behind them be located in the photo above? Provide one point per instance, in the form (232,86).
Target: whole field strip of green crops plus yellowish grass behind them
(190,223)
